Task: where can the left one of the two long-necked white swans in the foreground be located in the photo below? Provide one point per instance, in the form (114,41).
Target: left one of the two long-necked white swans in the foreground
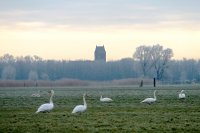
(47,106)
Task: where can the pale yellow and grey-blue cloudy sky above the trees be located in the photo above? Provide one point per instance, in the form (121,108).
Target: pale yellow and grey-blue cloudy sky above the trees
(71,29)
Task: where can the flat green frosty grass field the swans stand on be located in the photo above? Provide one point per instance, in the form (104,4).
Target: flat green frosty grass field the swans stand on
(124,114)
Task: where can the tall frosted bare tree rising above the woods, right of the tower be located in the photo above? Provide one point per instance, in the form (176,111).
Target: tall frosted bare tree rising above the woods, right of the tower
(153,57)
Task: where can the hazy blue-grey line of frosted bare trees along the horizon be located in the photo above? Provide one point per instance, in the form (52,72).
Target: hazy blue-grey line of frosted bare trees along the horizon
(147,62)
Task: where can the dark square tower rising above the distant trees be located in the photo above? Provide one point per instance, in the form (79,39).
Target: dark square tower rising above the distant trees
(100,53)
